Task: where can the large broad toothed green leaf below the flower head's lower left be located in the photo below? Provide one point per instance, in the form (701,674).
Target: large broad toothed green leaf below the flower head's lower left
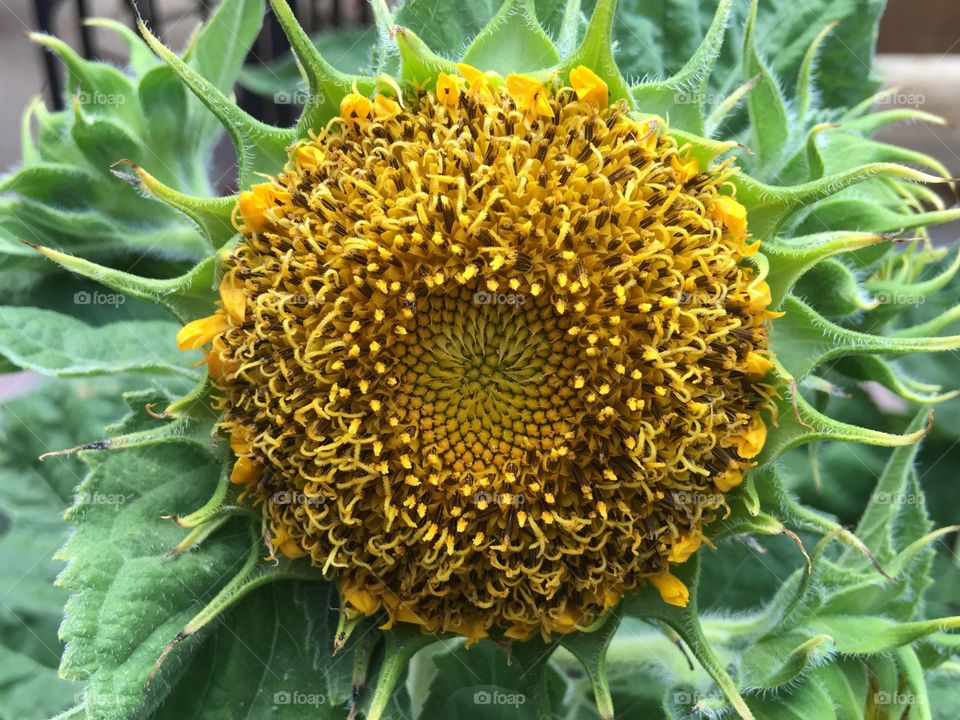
(128,602)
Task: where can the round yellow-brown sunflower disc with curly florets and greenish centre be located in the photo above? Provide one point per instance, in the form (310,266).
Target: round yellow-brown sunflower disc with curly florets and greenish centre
(490,357)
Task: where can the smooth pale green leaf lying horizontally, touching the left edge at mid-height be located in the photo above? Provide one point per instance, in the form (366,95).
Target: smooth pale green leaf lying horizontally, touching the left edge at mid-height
(54,344)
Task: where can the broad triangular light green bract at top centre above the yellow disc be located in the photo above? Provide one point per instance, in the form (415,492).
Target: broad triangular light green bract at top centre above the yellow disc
(512,42)
